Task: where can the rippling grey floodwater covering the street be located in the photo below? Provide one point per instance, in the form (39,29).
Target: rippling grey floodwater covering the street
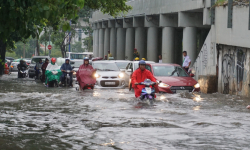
(34,117)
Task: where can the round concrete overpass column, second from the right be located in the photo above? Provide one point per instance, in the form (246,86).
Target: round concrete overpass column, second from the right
(168,45)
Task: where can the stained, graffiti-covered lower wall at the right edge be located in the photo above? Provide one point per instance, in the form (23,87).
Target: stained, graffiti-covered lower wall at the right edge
(234,75)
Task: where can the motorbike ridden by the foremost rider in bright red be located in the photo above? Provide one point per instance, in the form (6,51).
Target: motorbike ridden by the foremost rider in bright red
(148,93)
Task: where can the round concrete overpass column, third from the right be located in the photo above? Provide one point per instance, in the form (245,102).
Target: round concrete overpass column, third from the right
(152,44)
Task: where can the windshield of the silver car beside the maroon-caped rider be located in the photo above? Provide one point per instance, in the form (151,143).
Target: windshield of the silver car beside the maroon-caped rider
(105,66)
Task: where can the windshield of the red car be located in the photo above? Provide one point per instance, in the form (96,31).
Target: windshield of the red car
(169,71)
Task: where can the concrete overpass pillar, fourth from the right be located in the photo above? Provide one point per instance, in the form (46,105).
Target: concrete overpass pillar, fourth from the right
(140,41)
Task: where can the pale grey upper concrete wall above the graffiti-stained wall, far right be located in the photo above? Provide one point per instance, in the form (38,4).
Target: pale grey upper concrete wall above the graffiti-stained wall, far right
(238,35)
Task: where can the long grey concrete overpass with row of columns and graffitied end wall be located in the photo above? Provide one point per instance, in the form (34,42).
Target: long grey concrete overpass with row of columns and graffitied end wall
(169,27)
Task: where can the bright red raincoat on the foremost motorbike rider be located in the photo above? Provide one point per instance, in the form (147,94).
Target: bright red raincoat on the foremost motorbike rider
(140,76)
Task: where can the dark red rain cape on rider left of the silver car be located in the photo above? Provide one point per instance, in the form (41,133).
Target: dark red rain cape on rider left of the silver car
(84,75)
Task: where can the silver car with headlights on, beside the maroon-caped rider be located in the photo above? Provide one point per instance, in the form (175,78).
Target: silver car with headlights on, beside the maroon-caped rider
(108,75)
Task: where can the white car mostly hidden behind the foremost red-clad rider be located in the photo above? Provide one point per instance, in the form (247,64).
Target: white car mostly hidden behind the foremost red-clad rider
(131,67)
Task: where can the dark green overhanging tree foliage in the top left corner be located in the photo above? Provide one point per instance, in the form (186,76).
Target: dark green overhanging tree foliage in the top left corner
(22,18)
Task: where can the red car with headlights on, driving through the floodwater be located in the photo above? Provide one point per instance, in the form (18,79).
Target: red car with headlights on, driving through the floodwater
(174,79)
